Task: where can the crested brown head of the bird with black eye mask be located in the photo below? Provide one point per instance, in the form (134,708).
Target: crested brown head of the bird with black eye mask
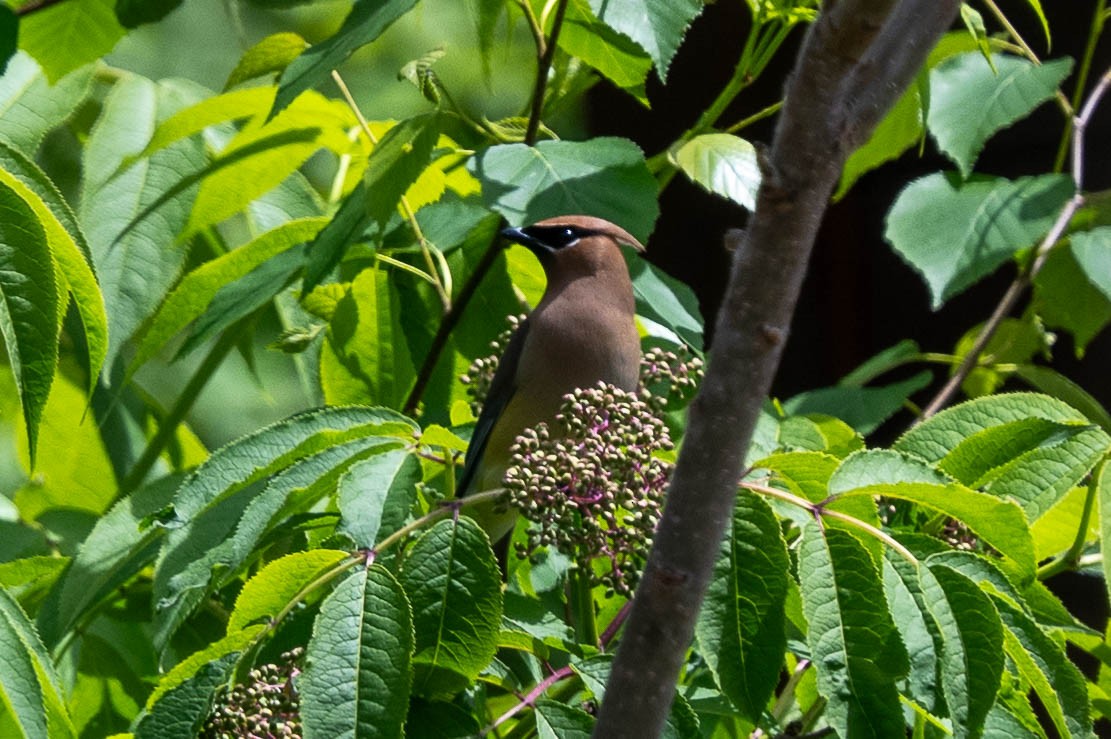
(567,239)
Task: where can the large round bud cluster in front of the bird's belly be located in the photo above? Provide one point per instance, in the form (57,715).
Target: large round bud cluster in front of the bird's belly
(593,487)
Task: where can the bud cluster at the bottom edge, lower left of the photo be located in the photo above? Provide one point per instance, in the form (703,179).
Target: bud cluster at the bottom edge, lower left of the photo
(267,707)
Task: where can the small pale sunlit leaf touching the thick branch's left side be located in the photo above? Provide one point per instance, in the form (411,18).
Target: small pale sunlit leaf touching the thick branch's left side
(723,164)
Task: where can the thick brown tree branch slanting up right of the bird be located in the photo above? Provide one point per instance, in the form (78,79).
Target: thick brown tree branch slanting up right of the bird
(856,62)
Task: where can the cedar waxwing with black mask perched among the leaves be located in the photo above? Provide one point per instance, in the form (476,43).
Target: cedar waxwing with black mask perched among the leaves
(583,332)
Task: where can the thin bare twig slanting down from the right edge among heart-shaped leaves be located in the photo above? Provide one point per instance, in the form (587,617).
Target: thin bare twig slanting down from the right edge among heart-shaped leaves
(1026,278)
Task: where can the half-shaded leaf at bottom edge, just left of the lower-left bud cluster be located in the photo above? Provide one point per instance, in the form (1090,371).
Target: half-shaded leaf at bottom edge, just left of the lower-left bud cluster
(184,696)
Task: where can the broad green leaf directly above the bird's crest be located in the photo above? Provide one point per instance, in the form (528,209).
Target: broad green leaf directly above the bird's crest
(605,177)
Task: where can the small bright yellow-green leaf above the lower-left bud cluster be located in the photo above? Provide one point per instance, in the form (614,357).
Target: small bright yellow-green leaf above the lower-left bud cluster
(277,584)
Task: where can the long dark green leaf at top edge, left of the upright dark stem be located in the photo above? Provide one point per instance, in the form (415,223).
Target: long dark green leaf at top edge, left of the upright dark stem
(366,23)
